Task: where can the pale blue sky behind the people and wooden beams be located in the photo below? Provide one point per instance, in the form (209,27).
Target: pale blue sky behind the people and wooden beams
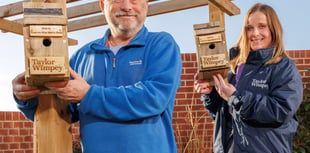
(292,14)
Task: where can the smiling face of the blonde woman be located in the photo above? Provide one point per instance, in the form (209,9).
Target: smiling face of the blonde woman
(258,32)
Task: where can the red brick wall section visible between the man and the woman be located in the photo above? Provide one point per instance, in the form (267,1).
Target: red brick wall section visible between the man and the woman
(193,127)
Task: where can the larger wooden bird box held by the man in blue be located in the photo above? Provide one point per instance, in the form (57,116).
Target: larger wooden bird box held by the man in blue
(45,43)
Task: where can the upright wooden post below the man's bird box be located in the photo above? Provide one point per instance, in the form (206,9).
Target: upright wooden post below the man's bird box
(52,126)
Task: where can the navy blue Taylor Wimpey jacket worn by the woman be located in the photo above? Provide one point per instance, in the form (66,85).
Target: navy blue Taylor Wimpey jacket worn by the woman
(264,105)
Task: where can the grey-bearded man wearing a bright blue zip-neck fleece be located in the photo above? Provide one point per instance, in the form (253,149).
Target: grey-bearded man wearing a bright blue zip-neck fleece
(123,85)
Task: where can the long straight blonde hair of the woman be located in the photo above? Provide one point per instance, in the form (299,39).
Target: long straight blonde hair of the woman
(276,31)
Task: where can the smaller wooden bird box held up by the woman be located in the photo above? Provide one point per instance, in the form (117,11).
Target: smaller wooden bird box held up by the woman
(212,55)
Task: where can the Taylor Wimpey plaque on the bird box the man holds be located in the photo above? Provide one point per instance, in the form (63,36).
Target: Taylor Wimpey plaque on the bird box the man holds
(47,65)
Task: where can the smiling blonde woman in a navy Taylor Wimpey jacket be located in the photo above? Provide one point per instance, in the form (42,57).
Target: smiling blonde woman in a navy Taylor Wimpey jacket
(263,92)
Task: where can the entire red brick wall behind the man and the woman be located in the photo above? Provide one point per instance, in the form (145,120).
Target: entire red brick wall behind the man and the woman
(193,127)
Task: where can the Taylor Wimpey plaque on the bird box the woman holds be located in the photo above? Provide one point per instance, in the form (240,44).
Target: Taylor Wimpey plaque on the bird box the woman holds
(215,60)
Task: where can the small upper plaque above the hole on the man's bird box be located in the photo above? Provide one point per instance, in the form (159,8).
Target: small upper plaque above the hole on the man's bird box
(41,30)
